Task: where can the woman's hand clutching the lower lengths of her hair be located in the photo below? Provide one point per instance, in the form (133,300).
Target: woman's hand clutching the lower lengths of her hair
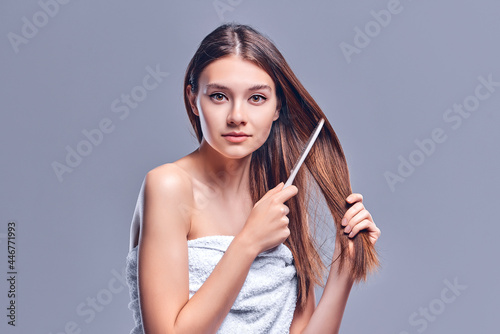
(357,218)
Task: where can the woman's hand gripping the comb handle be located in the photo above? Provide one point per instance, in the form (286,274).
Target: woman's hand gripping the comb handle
(267,224)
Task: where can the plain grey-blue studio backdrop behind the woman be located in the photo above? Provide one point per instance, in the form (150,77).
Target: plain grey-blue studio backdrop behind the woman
(438,226)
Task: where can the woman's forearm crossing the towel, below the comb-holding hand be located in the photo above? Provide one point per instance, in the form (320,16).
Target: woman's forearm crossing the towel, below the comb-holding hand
(209,306)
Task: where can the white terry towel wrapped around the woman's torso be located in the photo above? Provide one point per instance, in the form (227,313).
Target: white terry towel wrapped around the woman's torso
(266,302)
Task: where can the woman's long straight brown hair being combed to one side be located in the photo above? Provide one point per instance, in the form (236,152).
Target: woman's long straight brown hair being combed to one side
(272,162)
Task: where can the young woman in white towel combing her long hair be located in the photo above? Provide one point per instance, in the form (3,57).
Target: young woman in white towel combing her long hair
(213,246)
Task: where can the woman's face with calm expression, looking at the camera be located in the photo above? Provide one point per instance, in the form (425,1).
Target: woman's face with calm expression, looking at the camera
(235,95)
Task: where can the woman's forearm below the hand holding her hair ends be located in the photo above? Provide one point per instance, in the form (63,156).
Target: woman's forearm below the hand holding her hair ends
(327,316)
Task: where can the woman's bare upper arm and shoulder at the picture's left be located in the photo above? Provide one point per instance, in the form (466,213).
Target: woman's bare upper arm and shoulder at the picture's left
(162,254)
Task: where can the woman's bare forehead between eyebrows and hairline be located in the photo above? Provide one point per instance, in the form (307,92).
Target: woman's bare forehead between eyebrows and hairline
(235,72)
